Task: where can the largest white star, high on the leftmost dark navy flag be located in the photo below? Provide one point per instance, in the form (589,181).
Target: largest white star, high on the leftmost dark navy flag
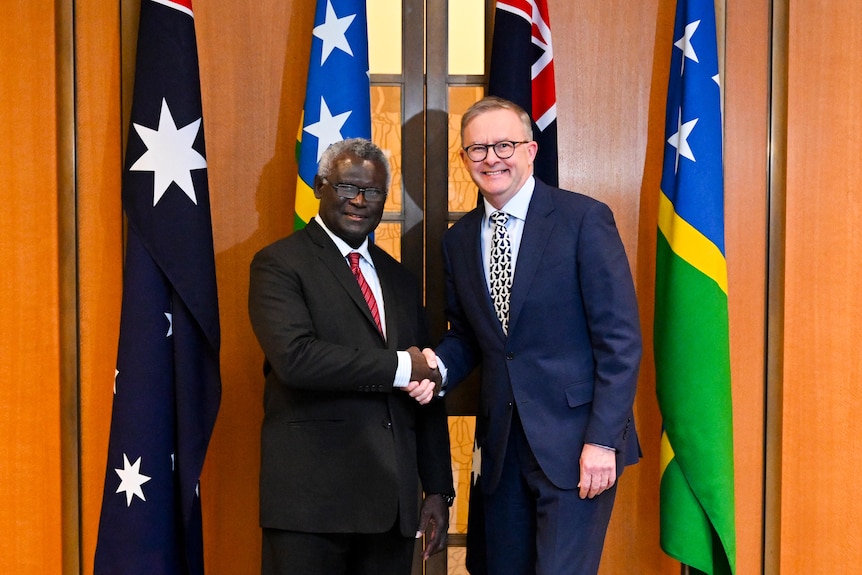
(170,155)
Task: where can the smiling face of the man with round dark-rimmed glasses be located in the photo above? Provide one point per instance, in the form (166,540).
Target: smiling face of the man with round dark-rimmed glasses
(498,180)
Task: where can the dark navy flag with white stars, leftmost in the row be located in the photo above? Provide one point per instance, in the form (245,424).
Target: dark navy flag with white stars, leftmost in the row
(167,385)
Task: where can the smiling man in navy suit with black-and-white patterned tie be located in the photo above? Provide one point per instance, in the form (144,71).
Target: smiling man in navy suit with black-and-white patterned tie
(542,296)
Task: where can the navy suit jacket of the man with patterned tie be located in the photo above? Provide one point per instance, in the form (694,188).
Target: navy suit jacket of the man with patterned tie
(570,361)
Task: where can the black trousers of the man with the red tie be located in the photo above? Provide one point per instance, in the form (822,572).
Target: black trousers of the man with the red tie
(297,553)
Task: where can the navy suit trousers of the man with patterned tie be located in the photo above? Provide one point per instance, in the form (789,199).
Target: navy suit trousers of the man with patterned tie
(535,528)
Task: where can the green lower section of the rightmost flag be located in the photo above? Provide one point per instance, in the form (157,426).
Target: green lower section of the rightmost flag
(693,388)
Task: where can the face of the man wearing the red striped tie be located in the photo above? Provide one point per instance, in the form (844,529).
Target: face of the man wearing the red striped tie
(351,220)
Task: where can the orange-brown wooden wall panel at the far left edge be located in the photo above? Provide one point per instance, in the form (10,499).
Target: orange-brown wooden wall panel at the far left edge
(30,412)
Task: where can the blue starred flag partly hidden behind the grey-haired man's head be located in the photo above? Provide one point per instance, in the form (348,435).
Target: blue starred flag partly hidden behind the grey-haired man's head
(337,95)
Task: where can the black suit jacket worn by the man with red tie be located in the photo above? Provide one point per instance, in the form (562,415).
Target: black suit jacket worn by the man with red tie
(341,451)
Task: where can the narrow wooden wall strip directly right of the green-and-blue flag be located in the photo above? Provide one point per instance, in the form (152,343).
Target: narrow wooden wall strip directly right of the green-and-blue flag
(746,120)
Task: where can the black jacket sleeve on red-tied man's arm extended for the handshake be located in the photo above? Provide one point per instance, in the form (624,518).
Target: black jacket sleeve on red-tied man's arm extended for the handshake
(304,325)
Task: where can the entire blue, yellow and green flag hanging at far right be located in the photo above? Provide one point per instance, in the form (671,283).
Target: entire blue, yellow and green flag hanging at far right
(692,357)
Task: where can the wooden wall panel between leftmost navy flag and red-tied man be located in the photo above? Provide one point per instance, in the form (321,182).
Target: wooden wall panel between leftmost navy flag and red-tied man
(254,59)
